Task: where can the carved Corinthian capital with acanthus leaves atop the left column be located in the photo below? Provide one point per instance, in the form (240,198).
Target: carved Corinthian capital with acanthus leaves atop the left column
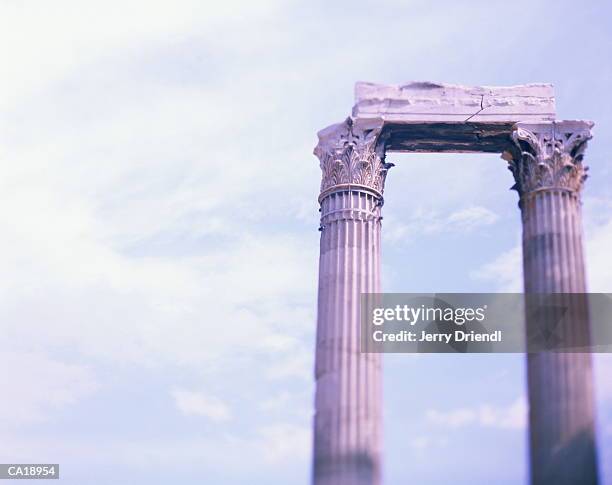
(352,156)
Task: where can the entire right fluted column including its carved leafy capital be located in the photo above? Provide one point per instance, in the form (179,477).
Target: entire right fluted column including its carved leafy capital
(547,166)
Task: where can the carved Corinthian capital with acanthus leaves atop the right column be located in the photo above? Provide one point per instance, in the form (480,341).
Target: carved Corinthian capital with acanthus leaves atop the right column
(548,155)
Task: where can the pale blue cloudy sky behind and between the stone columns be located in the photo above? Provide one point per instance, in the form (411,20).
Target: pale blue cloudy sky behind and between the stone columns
(159,229)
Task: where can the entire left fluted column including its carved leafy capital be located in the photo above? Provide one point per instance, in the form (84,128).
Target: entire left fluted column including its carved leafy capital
(347,421)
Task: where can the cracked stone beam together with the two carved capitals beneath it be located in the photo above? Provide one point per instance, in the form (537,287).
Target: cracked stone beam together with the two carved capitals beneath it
(435,117)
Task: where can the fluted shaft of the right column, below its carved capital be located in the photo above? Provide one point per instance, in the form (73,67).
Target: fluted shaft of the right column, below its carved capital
(560,384)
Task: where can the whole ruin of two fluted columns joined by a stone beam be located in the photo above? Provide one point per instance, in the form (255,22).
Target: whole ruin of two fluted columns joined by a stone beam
(546,158)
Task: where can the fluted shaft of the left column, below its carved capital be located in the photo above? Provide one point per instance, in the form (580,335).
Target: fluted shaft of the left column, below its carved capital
(348,383)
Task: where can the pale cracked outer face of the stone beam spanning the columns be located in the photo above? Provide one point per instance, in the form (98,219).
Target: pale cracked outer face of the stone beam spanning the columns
(436,102)
